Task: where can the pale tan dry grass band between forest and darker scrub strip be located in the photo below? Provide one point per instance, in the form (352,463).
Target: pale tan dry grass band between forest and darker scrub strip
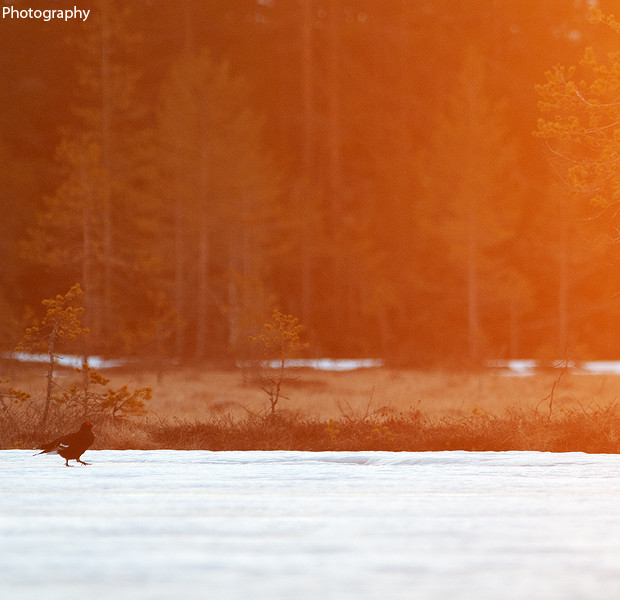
(198,394)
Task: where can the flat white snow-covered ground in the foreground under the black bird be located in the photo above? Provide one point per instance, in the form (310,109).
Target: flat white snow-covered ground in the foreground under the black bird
(299,525)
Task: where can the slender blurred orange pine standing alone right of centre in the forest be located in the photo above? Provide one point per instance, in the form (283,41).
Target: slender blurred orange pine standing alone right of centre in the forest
(476,179)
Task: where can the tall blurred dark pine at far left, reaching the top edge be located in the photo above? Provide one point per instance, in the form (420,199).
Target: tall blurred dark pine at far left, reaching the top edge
(98,226)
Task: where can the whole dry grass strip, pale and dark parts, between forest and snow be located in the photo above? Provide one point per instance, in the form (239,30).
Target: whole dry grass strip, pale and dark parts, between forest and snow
(375,409)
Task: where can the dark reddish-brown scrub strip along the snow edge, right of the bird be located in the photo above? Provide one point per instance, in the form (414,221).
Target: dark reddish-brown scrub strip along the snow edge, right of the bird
(593,430)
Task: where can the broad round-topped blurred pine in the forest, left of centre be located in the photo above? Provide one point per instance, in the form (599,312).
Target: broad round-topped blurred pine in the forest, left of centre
(220,186)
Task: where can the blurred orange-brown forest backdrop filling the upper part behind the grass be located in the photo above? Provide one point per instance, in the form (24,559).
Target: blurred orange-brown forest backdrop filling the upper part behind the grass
(366,166)
